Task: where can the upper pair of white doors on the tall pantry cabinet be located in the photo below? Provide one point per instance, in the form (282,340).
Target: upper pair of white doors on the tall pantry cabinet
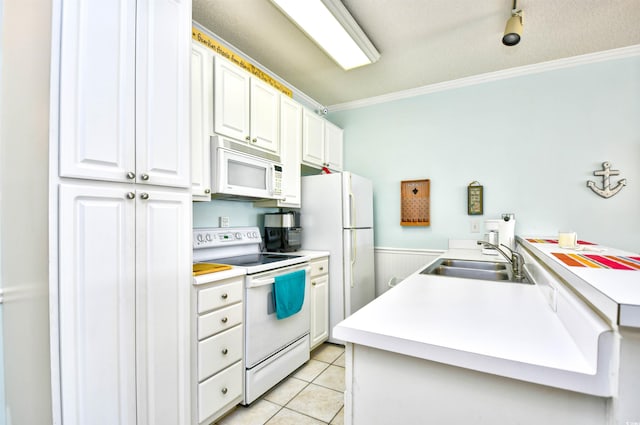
(124,91)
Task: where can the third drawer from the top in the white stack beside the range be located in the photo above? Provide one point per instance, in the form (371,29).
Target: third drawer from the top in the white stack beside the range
(219,351)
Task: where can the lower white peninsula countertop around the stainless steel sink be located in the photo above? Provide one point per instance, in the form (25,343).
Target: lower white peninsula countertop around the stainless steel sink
(500,328)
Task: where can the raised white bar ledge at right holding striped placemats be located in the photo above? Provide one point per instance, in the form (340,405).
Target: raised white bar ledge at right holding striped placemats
(615,292)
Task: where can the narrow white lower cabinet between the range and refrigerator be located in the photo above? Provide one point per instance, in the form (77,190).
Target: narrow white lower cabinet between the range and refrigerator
(319,296)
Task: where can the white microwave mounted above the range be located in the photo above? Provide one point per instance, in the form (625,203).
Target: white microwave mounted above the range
(238,175)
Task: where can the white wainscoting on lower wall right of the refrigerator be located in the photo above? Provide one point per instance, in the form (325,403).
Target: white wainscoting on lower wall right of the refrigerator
(395,264)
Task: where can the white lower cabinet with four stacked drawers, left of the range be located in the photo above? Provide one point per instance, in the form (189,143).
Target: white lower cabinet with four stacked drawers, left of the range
(218,342)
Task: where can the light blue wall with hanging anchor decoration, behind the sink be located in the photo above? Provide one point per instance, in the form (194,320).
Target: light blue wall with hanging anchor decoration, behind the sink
(532,141)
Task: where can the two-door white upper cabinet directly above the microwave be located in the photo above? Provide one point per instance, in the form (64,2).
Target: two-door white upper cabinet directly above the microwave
(245,108)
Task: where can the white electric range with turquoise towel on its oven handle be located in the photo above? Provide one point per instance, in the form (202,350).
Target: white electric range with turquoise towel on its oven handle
(273,348)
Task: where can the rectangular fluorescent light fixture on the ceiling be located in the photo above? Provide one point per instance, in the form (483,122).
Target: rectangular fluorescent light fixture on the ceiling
(332,27)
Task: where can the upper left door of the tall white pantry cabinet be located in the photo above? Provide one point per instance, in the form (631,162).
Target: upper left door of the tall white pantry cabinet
(97,78)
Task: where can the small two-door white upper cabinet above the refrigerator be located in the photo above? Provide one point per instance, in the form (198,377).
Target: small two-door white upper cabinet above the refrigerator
(322,142)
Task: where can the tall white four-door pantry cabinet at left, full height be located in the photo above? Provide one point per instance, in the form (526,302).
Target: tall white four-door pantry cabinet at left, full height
(120,303)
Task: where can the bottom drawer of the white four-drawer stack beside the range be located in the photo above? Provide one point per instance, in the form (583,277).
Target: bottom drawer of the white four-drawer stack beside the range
(219,390)
